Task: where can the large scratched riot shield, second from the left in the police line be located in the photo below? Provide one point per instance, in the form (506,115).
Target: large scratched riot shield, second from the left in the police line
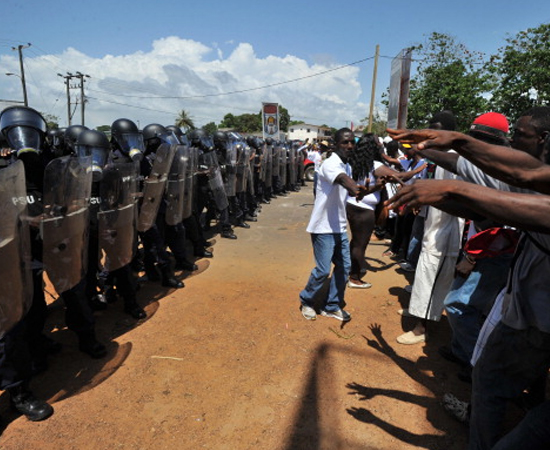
(65,222)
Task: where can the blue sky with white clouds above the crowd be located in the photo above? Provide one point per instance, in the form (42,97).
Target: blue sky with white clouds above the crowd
(147,61)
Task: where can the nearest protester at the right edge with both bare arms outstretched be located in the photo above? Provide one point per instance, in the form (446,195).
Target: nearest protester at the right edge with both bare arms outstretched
(517,351)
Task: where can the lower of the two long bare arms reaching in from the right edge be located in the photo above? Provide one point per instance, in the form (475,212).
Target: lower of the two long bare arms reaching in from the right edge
(525,211)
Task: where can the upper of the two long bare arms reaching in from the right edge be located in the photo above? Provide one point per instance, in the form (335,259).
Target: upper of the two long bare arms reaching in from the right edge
(514,167)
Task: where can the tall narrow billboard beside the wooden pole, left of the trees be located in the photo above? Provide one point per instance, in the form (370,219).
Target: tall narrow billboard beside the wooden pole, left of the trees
(399,89)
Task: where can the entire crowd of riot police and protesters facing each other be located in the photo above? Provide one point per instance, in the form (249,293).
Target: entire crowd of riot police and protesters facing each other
(94,212)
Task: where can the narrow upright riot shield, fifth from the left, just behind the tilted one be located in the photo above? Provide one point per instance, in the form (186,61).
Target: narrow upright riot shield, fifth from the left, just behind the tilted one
(175,186)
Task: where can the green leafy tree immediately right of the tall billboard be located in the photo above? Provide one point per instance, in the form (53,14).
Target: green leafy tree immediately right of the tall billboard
(449,76)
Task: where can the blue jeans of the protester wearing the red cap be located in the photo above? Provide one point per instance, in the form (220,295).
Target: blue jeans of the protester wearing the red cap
(470,299)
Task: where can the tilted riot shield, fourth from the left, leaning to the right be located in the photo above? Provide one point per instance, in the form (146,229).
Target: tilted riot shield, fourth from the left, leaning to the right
(153,186)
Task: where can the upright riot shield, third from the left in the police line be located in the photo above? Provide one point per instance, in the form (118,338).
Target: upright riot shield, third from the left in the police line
(117,214)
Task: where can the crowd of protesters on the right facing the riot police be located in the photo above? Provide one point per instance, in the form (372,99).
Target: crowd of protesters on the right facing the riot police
(460,211)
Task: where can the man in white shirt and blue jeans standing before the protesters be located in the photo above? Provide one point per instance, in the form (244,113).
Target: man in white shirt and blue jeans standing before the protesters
(327,227)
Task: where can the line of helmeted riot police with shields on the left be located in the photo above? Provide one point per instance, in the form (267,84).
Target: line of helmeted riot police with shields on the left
(99,215)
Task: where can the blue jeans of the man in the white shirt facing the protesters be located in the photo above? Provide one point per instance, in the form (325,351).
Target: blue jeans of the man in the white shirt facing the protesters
(328,249)
